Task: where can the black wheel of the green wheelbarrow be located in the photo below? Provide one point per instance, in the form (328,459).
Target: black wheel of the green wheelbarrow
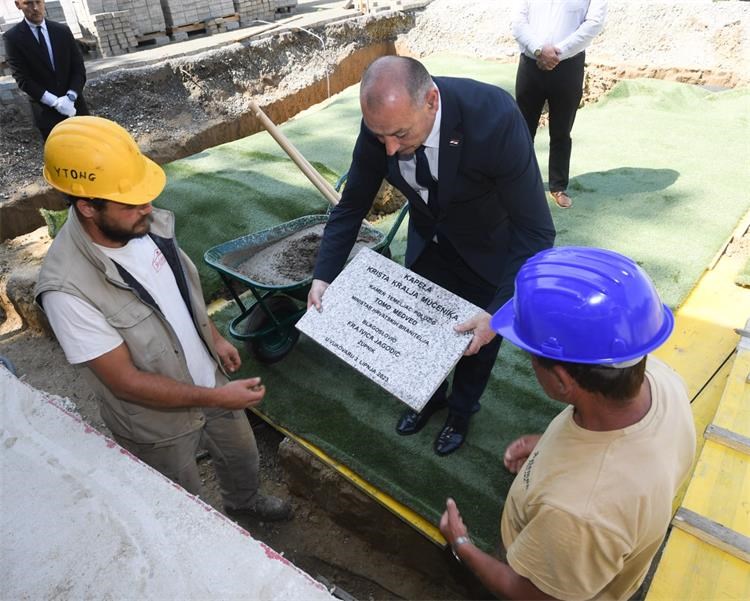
(276,344)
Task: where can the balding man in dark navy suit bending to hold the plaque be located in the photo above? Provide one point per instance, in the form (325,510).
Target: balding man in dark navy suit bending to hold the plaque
(461,153)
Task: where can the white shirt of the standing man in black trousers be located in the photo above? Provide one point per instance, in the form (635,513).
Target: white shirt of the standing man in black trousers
(569,25)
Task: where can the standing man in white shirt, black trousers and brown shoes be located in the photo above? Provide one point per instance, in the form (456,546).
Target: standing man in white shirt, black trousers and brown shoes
(553,36)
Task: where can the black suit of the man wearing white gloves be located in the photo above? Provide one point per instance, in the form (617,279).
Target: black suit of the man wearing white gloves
(33,73)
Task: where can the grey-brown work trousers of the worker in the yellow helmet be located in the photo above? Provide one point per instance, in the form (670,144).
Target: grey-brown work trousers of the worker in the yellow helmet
(228,438)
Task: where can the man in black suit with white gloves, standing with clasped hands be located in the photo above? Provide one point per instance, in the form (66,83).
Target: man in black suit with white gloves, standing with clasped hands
(47,65)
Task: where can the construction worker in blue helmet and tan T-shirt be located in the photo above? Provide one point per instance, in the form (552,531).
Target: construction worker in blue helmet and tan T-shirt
(593,497)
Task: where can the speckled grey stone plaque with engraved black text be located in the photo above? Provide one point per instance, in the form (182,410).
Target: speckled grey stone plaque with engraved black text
(391,325)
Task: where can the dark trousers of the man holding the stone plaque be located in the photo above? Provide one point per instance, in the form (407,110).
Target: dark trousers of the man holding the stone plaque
(441,264)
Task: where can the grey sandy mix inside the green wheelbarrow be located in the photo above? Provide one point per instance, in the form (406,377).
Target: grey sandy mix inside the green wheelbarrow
(291,260)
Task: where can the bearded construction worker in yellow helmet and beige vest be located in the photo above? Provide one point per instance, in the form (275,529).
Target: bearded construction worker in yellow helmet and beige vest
(126,305)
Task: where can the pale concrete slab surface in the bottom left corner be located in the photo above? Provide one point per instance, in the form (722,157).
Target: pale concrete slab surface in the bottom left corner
(82,518)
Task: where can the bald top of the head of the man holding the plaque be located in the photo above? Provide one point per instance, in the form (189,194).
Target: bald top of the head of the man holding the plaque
(391,78)
